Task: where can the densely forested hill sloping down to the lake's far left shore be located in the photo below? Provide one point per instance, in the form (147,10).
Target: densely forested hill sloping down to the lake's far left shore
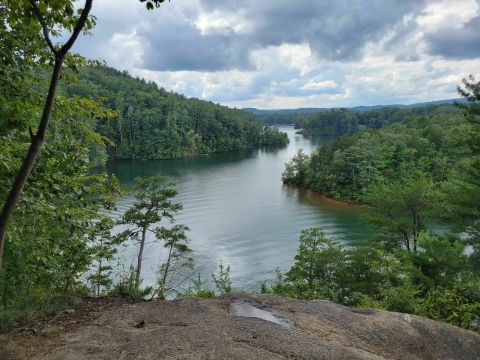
(155,124)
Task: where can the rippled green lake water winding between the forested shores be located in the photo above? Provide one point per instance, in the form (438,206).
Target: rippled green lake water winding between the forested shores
(240,213)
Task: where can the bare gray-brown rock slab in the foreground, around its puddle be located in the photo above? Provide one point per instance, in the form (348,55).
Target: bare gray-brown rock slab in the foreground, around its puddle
(204,329)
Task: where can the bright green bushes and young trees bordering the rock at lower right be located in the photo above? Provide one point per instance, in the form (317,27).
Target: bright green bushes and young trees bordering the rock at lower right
(437,281)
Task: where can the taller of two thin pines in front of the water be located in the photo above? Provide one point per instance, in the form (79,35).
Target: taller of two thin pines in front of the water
(152,205)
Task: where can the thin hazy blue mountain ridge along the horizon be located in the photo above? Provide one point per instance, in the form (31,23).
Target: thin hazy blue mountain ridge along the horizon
(360,108)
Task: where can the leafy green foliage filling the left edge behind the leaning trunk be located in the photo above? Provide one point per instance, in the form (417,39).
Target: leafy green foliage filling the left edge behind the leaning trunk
(59,233)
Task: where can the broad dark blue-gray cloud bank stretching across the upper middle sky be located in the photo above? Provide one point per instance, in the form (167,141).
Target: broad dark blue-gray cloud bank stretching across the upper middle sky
(334,30)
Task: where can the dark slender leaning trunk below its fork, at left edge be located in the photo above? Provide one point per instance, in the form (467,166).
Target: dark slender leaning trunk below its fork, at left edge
(32,154)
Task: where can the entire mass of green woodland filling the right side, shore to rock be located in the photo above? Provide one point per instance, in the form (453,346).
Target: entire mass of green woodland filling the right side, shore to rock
(411,175)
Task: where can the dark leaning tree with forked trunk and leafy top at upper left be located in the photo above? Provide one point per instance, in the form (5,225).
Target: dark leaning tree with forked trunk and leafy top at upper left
(49,18)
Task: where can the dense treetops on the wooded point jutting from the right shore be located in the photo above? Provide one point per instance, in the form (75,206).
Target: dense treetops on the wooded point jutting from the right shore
(347,167)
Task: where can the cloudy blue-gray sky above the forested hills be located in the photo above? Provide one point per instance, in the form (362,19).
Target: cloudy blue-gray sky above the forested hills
(275,54)
